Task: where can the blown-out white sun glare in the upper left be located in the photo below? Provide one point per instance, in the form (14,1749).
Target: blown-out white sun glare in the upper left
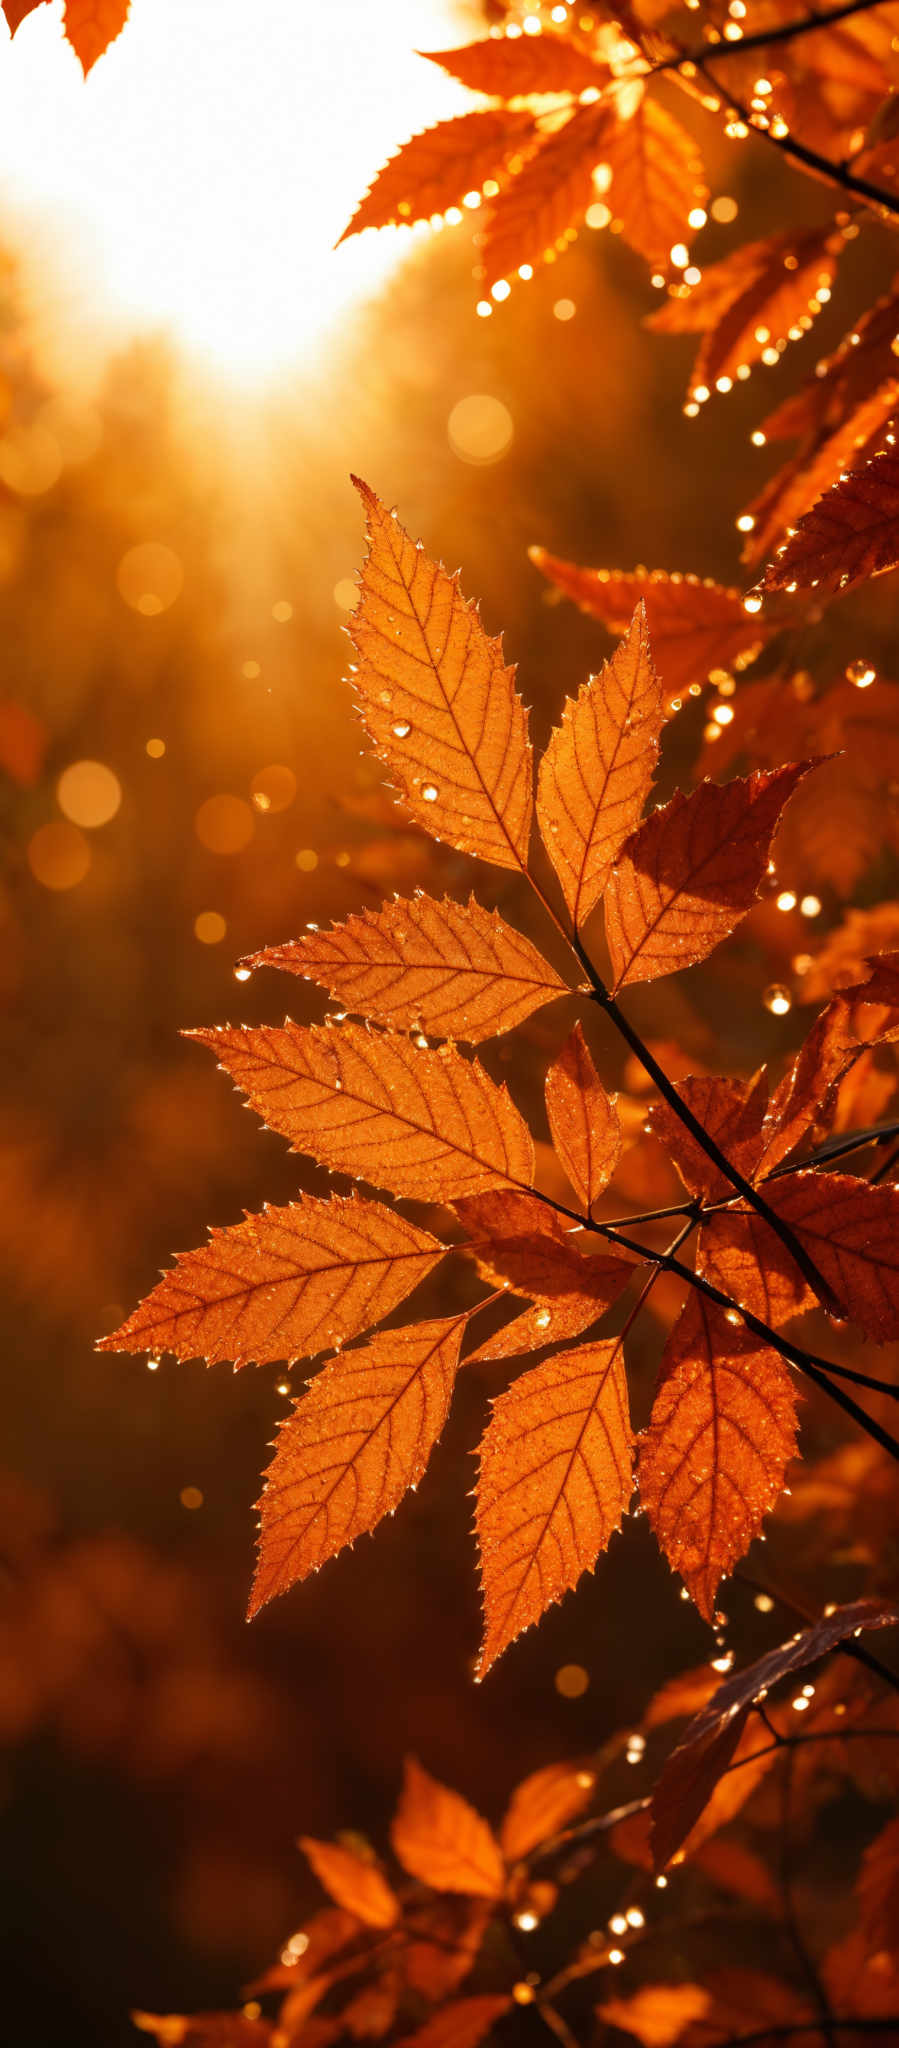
(198,181)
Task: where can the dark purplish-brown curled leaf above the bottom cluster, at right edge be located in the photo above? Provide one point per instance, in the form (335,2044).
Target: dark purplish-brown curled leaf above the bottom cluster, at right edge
(710,1744)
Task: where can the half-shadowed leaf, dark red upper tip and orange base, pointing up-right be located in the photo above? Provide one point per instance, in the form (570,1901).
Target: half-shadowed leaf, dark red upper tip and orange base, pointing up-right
(691,871)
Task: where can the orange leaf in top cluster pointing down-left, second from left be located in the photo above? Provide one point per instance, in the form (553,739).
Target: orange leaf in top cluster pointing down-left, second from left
(550,196)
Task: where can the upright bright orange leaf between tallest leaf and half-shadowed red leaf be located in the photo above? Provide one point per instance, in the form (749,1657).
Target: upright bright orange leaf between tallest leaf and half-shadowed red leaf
(599,767)
